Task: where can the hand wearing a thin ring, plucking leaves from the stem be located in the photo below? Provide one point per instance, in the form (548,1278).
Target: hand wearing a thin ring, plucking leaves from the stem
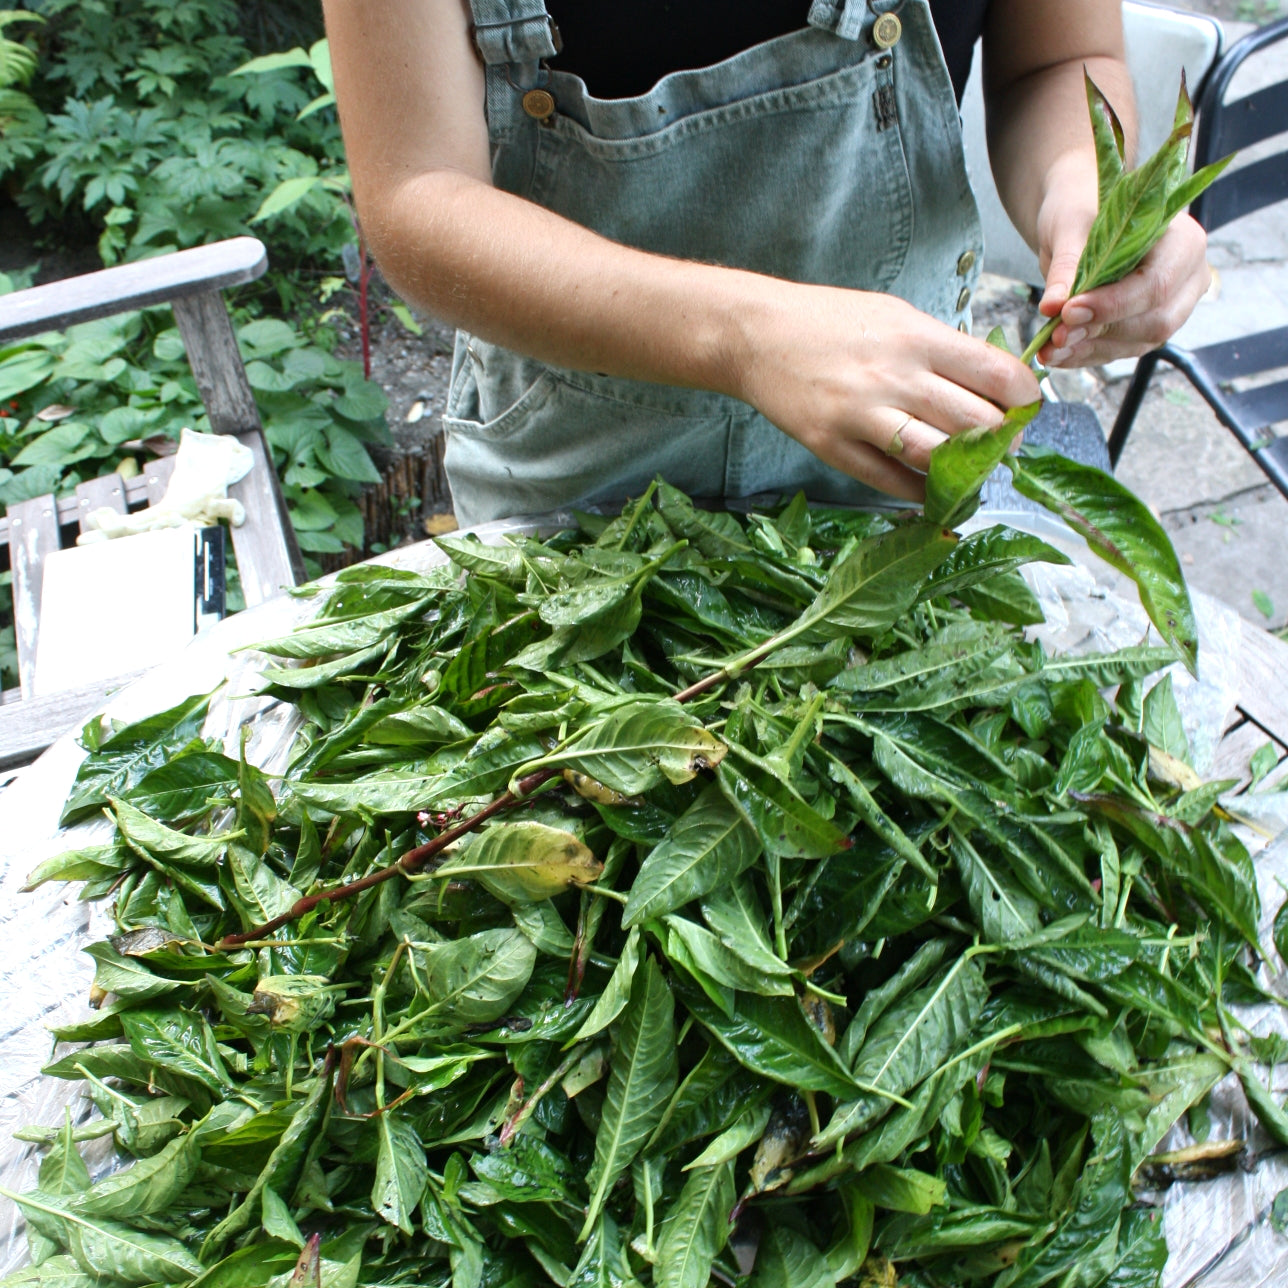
(870,384)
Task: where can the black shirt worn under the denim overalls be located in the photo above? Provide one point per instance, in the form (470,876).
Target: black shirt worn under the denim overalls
(623,48)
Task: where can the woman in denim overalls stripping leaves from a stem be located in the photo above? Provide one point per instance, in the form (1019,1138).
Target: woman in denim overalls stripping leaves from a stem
(753,275)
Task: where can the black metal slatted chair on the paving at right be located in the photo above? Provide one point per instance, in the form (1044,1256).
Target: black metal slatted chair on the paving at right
(1228,126)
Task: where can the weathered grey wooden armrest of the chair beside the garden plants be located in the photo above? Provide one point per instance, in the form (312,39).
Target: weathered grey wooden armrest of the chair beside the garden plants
(132,287)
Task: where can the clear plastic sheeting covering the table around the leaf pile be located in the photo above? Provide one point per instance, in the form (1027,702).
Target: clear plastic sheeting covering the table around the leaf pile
(1219,1231)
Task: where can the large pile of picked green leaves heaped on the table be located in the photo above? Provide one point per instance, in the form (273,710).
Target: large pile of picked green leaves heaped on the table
(885,956)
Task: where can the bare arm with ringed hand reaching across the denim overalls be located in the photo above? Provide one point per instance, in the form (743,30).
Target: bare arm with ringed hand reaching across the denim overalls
(842,372)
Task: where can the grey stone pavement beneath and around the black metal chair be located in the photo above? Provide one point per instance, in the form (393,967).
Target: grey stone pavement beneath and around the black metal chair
(1229,524)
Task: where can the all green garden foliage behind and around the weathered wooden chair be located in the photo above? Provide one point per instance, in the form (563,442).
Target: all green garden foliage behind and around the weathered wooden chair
(151,126)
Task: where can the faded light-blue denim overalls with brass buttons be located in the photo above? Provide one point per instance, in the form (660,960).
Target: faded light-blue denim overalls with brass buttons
(831,155)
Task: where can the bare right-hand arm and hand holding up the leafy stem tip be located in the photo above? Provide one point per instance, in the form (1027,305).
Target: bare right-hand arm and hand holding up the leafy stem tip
(1045,164)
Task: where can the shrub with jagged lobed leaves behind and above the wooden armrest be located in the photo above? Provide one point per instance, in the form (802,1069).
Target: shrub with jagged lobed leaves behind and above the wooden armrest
(150,141)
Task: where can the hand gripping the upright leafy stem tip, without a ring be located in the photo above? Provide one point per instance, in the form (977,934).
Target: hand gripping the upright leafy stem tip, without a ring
(1130,317)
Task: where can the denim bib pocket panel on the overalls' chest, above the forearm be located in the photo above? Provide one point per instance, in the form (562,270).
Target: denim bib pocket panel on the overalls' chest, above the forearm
(803,182)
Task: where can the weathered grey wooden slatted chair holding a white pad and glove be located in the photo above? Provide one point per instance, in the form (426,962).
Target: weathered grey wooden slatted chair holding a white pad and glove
(269,560)
